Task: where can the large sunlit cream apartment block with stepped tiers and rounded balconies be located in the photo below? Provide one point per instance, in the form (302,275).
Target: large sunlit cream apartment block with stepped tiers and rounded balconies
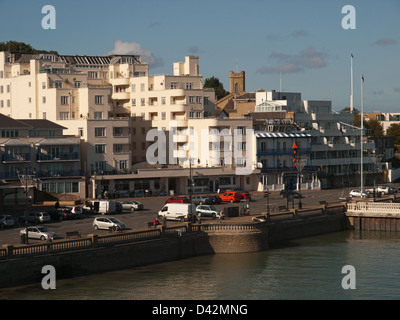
(112,102)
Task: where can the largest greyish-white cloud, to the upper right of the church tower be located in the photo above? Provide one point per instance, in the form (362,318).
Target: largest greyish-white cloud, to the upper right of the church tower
(293,63)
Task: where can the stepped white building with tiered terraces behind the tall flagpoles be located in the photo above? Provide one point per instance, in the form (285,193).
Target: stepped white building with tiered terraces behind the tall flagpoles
(335,144)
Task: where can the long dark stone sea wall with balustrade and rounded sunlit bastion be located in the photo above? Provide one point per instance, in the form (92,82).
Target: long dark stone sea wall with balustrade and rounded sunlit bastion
(101,254)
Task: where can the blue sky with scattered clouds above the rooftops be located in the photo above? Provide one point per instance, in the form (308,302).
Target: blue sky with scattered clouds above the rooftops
(303,39)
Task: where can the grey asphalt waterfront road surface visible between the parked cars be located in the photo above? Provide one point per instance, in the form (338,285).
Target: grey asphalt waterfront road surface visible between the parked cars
(138,220)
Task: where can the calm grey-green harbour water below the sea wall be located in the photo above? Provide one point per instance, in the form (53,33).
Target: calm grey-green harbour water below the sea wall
(308,268)
